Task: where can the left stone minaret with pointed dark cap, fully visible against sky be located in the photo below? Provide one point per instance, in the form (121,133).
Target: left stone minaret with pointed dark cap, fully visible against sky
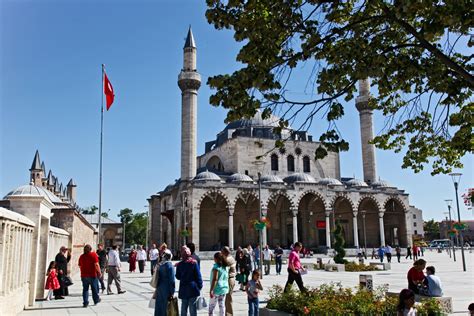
(189,82)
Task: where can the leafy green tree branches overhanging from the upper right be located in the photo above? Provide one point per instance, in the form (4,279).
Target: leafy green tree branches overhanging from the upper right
(411,50)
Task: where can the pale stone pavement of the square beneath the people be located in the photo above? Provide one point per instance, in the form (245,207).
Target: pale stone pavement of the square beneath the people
(457,284)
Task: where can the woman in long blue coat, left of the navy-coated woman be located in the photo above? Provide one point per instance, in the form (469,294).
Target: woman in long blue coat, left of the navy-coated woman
(165,288)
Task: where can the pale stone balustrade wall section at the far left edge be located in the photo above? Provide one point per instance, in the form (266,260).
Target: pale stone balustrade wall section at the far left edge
(16,241)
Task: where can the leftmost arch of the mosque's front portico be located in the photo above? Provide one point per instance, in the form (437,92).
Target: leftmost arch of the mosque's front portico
(213,221)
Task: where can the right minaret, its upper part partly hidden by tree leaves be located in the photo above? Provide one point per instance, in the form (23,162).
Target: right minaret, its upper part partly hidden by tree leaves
(366,131)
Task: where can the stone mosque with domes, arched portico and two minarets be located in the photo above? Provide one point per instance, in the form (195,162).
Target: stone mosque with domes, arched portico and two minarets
(218,193)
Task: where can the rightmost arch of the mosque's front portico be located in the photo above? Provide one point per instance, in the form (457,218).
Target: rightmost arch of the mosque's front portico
(394,219)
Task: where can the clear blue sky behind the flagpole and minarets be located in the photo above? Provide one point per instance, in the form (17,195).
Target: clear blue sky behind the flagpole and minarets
(51,52)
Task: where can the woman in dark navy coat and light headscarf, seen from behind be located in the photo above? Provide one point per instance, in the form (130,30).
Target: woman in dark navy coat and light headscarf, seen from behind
(190,282)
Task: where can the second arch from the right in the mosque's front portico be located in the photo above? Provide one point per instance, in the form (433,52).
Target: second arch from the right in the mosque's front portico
(368,222)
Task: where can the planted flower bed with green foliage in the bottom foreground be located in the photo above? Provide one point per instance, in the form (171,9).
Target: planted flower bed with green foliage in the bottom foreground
(333,299)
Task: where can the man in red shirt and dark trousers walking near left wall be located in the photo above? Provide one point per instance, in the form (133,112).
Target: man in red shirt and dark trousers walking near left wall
(90,271)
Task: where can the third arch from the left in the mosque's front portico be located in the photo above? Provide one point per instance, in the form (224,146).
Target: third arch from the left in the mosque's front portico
(279,212)
